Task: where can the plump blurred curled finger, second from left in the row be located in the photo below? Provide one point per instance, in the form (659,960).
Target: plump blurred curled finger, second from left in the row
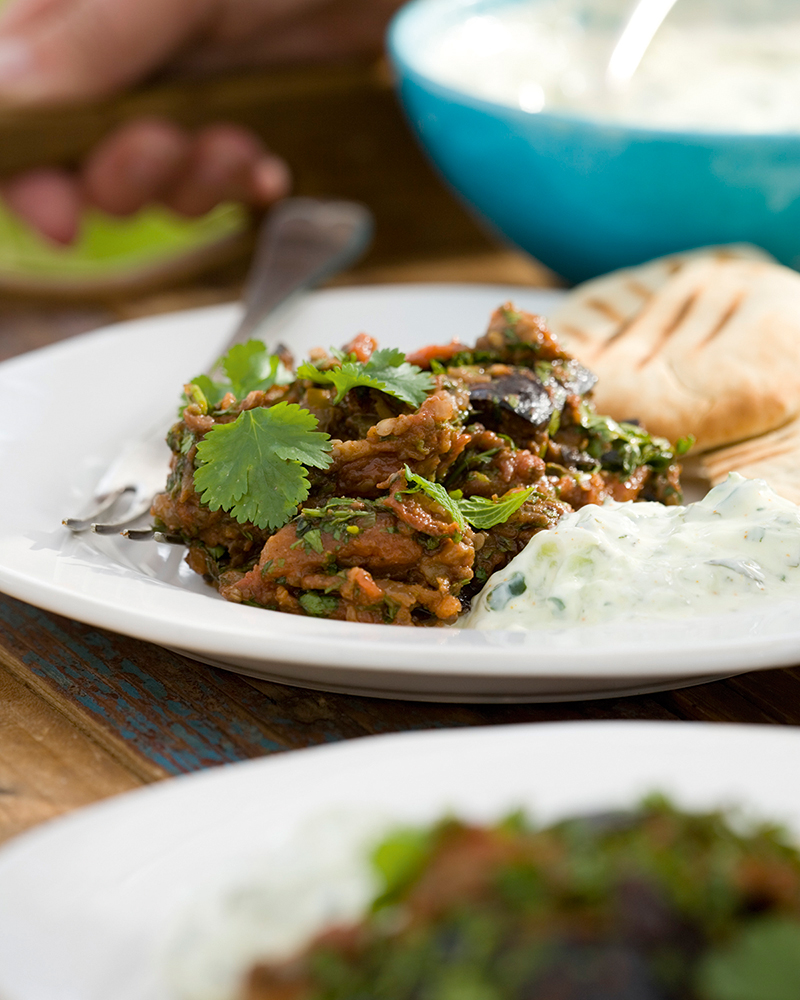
(136,165)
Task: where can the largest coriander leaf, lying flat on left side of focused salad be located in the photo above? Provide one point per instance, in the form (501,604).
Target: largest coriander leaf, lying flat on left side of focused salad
(254,467)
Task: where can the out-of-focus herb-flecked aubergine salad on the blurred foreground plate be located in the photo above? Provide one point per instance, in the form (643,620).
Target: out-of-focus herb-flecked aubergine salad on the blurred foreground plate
(655,904)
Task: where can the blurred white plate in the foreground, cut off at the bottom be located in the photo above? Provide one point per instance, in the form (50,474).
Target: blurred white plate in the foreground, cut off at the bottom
(89,903)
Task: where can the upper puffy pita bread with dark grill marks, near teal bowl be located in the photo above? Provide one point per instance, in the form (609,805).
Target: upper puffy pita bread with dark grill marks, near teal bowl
(703,344)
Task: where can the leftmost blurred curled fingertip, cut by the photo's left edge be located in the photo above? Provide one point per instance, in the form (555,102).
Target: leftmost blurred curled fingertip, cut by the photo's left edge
(49,200)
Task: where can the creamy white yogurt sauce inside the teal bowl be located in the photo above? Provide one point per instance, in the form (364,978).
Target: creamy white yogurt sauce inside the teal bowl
(712,76)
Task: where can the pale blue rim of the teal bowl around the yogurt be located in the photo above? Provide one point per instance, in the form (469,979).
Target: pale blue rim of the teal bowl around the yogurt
(695,137)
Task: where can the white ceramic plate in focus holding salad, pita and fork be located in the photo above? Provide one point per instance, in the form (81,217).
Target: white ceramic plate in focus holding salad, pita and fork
(69,409)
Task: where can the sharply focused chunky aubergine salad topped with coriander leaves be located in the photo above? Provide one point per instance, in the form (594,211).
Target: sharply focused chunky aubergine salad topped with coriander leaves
(372,486)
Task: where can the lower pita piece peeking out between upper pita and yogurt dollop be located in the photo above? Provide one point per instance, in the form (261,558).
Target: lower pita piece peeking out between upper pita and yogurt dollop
(774,457)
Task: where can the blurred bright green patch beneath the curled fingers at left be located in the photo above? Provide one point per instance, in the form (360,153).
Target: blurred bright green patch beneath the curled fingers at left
(109,247)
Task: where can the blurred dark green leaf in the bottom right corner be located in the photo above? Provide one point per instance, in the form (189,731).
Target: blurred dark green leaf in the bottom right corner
(761,963)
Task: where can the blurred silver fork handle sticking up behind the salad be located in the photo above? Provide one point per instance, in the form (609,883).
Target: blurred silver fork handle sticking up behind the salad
(303,241)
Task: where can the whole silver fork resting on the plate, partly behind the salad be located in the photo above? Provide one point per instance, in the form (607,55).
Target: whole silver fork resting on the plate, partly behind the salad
(302,242)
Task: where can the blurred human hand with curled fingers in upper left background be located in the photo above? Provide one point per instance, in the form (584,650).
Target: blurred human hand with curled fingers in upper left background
(57,50)
